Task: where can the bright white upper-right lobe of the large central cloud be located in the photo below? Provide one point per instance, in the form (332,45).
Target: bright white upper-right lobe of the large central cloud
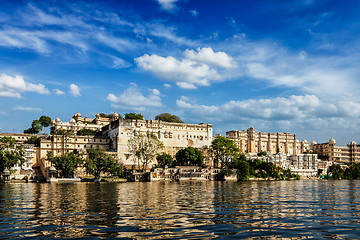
(208,56)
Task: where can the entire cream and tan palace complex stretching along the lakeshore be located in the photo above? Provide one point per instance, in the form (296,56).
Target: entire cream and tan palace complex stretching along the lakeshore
(114,133)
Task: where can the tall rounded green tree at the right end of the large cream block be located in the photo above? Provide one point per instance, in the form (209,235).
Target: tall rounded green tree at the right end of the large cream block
(224,151)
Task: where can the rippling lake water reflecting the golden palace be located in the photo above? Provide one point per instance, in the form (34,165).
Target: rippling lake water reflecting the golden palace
(181,210)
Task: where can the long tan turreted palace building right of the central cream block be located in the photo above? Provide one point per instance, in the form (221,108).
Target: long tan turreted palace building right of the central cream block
(249,141)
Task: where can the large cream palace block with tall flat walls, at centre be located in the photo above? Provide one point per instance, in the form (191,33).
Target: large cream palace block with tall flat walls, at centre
(174,136)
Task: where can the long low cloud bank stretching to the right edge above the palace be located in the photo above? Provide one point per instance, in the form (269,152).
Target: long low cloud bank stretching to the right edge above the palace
(292,108)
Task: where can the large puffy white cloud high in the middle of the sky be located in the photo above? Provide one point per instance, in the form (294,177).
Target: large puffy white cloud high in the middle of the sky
(200,68)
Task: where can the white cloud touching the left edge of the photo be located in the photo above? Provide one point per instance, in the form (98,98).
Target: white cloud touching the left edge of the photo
(14,86)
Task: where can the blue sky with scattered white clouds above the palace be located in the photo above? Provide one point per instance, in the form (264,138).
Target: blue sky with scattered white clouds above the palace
(280,66)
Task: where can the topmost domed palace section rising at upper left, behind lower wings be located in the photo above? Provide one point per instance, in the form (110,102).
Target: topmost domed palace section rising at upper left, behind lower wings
(77,123)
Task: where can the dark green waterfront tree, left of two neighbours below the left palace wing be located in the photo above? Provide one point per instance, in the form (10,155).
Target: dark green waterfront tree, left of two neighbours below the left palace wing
(65,164)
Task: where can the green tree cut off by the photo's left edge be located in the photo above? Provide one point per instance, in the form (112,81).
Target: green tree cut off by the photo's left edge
(10,153)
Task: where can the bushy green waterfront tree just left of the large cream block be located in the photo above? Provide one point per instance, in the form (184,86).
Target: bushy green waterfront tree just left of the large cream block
(99,162)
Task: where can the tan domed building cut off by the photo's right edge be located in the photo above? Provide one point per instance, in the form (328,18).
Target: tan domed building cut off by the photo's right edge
(342,154)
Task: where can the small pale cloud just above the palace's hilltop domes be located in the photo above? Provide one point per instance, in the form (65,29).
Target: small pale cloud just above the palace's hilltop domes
(133,99)
